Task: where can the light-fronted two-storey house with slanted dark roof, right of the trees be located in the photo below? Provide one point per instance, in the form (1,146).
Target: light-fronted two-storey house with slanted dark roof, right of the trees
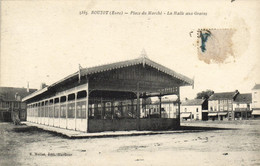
(221,105)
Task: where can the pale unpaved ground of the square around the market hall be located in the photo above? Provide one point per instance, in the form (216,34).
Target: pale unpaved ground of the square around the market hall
(237,143)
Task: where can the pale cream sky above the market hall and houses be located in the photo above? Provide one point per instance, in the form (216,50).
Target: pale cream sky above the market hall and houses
(44,41)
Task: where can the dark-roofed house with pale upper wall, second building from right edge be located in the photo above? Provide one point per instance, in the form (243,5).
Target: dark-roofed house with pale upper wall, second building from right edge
(242,106)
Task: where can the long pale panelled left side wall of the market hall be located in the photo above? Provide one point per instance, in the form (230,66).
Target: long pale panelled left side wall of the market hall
(46,113)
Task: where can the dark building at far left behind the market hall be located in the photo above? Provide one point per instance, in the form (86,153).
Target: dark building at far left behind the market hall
(11,105)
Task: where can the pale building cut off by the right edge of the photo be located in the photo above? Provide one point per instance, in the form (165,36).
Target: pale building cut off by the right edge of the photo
(256,101)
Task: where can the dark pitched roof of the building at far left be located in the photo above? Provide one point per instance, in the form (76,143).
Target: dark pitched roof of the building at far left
(9,93)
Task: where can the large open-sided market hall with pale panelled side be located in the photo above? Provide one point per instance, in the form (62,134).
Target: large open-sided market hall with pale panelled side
(111,97)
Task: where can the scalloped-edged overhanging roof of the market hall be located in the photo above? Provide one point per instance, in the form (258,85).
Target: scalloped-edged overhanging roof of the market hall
(117,65)
